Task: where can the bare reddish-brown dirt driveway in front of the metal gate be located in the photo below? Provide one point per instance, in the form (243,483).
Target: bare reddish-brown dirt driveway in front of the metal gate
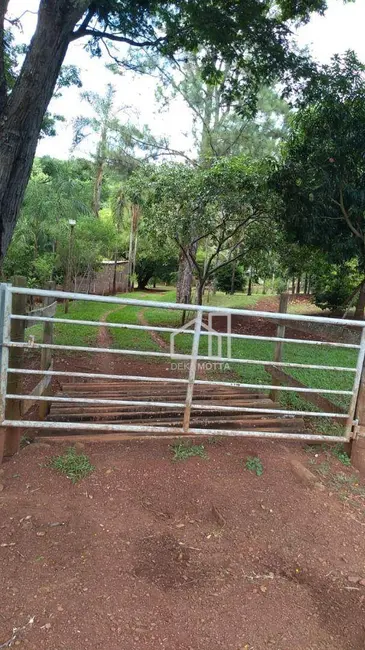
(149,554)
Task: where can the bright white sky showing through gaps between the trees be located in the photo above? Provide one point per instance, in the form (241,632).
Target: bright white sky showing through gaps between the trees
(342,28)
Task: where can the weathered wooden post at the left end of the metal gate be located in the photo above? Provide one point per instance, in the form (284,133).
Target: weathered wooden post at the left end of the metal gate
(13,407)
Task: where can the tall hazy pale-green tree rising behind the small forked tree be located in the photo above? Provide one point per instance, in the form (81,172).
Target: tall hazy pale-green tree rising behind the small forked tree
(222,127)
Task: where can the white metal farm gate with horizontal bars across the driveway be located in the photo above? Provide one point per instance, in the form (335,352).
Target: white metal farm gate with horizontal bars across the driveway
(196,404)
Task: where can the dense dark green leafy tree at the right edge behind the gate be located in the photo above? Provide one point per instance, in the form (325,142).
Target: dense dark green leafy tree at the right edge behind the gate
(322,178)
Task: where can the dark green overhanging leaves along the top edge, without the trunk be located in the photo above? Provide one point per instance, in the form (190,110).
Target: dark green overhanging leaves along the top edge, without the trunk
(255,38)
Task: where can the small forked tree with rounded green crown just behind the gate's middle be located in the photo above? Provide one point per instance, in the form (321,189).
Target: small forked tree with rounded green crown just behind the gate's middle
(222,205)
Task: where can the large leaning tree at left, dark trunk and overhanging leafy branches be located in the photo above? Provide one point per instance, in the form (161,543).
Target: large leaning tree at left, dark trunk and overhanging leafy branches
(253,36)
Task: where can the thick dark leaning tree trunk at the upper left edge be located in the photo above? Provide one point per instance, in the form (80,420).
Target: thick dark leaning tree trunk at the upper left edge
(21,118)
